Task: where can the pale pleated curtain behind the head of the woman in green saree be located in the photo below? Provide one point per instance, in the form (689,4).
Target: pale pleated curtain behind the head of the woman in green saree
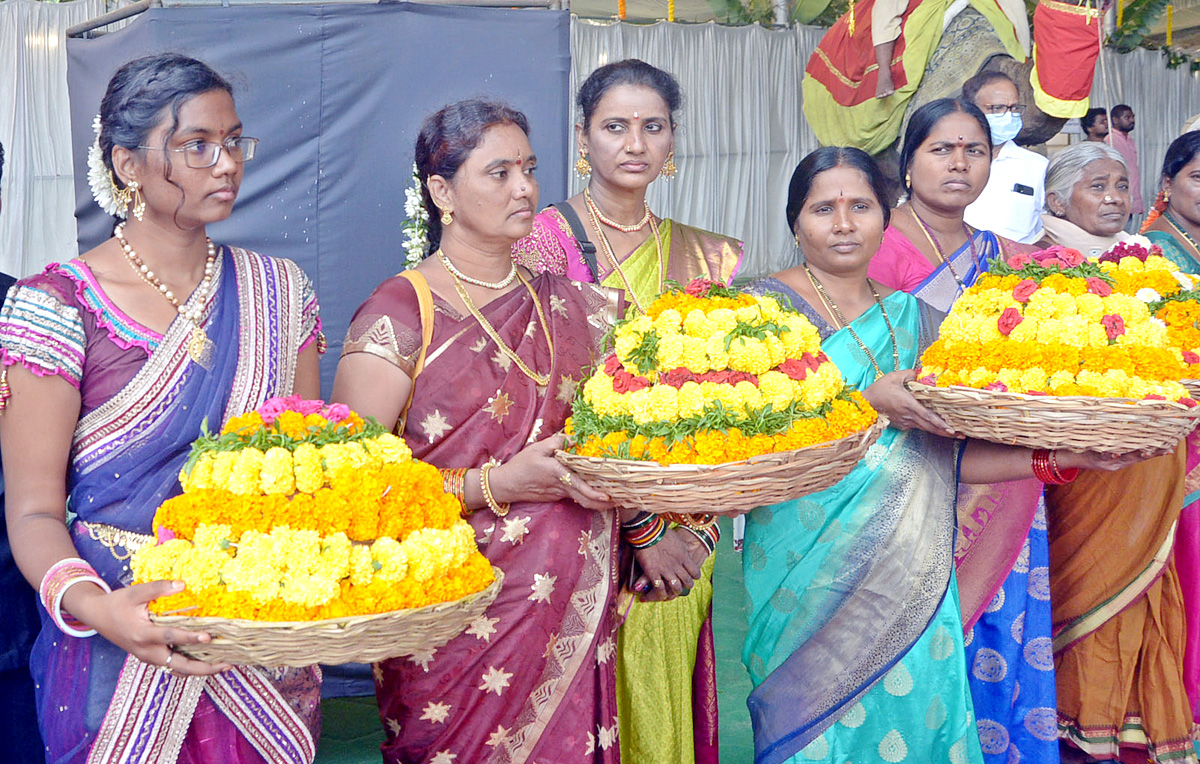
(741,129)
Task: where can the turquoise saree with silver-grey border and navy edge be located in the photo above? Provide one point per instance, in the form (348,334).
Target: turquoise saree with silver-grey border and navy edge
(856,641)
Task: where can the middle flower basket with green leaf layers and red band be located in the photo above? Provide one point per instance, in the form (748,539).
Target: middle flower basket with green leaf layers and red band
(709,384)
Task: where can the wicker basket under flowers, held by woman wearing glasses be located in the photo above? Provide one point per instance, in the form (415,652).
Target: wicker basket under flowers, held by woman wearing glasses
(361,639)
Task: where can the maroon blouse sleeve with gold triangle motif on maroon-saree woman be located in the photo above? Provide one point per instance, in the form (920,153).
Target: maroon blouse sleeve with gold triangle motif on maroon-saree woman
(388,326)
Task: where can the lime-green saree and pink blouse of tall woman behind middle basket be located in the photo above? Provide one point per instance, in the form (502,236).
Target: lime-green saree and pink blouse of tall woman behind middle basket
(665,659)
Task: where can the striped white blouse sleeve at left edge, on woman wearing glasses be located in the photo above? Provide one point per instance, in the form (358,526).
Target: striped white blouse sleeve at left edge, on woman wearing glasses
(41,329)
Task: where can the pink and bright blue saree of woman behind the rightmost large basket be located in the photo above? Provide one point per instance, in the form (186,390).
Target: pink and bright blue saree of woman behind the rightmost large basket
(1001,554)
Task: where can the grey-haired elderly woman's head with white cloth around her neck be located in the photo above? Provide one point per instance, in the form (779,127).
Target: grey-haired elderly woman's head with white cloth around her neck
(1088,198)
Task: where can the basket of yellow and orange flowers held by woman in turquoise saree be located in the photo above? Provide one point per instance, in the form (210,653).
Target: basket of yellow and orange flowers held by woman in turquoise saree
(1048,342)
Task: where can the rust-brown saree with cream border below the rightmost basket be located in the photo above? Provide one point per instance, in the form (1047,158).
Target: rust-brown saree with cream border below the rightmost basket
(1119,619)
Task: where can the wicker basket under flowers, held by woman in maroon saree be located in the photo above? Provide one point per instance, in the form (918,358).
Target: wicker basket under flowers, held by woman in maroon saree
(730,488)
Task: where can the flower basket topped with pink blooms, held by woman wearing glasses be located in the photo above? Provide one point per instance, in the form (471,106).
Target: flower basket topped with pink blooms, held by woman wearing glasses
(301,513)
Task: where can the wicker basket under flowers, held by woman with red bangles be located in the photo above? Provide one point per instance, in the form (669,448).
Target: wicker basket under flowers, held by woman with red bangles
(1071,423)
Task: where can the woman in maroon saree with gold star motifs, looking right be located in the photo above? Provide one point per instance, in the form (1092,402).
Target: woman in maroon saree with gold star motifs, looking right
(533,678)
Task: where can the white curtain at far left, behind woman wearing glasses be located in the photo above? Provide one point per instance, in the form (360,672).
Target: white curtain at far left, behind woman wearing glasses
(38,220)
